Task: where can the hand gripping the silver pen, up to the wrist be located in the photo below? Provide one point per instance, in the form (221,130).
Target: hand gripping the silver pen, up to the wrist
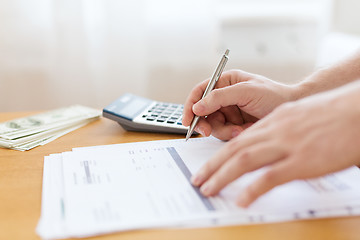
(238,101)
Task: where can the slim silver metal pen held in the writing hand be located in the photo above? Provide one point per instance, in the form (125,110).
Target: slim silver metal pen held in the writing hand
(209,88)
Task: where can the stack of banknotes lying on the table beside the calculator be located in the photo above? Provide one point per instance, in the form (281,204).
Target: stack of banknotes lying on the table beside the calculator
(29,132)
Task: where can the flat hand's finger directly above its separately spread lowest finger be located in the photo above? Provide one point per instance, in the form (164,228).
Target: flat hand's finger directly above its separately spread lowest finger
(251,158)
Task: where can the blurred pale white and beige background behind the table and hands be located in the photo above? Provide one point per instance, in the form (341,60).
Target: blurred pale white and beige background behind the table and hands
(55,53)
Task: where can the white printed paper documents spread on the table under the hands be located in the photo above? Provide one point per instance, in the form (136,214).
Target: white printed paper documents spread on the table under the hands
(120,187)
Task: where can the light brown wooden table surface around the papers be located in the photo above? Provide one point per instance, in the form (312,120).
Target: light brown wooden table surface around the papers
(21,184)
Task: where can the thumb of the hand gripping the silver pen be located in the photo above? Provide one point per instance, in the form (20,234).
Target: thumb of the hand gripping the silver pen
(221,97)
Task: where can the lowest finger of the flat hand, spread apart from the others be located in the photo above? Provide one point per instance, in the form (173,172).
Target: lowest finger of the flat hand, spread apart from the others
(280,173)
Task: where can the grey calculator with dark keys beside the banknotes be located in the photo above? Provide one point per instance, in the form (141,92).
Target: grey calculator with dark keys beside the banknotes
(135,113)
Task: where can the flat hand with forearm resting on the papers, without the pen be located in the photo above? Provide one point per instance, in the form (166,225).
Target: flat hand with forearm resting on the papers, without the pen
(298,140)
